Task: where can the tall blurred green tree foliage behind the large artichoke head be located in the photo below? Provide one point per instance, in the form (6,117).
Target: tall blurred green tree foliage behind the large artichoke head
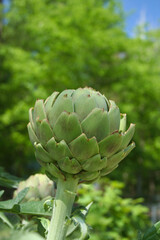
(48,45)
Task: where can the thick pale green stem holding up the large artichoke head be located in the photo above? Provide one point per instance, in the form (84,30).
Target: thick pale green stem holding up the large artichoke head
(62,208)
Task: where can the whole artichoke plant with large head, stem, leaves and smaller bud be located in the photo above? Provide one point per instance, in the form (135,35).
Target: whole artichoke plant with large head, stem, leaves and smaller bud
(79,136)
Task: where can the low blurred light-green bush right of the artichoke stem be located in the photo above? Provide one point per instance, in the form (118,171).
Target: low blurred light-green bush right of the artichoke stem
(111,216)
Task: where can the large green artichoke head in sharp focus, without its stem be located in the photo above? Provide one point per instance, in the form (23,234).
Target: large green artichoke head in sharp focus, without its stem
(79,133)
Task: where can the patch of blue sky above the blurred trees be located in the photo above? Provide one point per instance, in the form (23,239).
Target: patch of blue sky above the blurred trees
(143,11)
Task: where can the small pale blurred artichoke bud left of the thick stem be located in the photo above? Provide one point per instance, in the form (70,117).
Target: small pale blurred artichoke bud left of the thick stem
(40,187)
